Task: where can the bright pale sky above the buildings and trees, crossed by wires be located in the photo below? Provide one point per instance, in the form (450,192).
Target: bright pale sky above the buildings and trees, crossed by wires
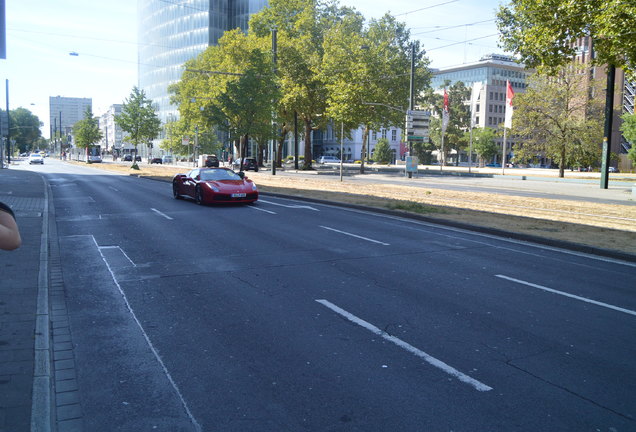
(102,36)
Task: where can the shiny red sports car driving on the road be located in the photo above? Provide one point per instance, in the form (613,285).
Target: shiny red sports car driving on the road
(214,185)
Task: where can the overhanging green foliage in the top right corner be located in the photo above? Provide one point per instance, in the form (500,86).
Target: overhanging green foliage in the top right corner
(544,33)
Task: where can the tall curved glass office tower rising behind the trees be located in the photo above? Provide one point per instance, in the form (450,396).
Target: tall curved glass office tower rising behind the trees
(173,32)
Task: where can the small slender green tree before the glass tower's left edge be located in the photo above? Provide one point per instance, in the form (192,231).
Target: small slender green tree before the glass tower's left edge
(139,120)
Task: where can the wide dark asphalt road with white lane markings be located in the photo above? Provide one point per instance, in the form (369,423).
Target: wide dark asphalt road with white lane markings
(289,316)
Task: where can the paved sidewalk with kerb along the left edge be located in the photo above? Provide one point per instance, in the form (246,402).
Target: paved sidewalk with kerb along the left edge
(24,353)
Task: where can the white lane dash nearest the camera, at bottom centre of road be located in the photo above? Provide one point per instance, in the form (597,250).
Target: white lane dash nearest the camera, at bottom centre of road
(477,385)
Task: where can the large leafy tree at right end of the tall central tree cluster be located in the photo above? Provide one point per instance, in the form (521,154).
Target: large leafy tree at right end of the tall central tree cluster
(366,70)
